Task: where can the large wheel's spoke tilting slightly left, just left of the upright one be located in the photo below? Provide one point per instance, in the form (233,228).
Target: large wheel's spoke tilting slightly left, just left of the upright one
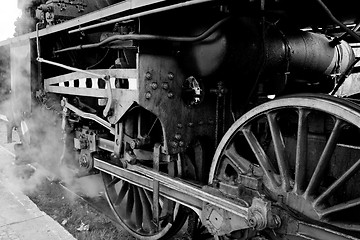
(279,148)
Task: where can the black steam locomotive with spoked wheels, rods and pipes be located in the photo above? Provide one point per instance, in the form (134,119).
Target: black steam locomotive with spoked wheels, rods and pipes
(244,114)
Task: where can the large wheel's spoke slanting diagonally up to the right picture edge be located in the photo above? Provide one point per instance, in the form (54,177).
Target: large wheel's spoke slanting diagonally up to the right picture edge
(339,182)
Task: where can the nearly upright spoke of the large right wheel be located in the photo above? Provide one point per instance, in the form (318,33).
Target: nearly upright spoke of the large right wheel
(301,152)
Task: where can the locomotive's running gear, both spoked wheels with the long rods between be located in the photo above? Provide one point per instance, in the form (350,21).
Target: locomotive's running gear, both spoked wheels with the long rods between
(252,187)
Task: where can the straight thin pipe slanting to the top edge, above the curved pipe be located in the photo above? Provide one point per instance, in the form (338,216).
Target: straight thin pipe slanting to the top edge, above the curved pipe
(158,10)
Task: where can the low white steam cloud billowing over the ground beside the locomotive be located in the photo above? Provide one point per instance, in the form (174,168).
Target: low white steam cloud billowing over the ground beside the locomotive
(44,155)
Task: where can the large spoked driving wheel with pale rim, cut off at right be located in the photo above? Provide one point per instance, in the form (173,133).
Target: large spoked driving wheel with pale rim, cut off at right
(302,153)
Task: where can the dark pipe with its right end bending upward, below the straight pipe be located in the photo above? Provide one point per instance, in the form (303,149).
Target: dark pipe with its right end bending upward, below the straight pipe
(148,37)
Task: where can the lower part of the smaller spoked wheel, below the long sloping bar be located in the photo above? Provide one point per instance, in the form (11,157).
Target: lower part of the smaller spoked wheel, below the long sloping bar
(133,208)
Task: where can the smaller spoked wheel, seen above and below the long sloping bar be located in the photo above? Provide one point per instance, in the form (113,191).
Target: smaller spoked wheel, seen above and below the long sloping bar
(134,206)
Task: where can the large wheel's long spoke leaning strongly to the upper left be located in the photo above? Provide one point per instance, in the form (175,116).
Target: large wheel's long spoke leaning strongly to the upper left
(260,155)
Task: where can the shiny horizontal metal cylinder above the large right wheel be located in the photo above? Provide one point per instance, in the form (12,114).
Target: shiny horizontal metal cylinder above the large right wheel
(308,53)
